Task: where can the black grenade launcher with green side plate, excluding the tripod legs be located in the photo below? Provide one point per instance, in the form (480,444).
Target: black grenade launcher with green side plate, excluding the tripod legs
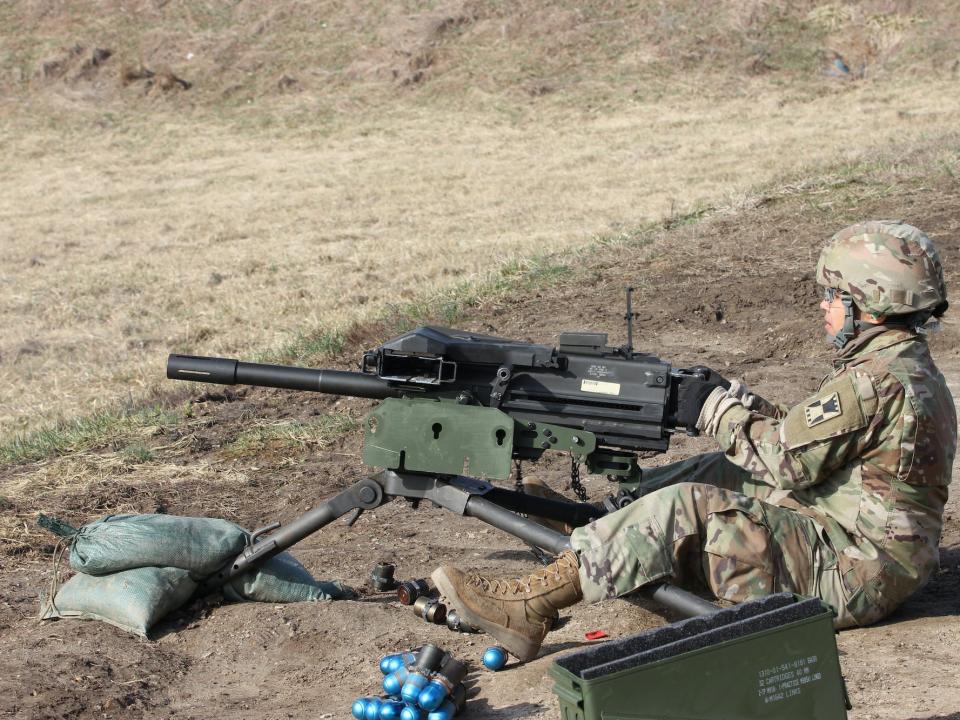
(462,403)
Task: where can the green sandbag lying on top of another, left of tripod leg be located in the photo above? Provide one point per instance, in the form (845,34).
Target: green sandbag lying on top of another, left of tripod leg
(121,542)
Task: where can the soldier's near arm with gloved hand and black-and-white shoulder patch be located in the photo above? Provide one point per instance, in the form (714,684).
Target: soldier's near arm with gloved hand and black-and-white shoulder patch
(813,438)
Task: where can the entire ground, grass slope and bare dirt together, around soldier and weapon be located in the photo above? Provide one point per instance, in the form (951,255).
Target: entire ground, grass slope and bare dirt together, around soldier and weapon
(298,180)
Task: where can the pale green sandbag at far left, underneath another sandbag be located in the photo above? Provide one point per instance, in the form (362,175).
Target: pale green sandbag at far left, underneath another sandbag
(133,600)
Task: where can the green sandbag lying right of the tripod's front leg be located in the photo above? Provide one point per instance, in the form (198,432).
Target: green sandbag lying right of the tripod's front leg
(282,579)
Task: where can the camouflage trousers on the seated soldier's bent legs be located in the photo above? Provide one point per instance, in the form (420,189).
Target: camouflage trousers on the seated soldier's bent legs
(706,525)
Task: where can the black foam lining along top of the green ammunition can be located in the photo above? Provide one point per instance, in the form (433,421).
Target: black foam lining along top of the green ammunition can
(687,635)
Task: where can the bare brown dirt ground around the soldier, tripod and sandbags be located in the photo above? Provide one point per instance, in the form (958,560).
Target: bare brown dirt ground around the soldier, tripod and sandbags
(733,291)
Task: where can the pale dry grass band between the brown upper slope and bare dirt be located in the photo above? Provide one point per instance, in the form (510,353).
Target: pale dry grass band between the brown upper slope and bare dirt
(150,238)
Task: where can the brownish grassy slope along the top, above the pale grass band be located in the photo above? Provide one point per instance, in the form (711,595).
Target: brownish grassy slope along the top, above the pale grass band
(347,54)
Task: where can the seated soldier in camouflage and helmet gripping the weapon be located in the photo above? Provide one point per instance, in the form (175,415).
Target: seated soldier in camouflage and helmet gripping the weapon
(840,497)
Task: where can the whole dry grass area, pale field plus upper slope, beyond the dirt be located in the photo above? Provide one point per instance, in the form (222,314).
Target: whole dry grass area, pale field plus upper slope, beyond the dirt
(308,178)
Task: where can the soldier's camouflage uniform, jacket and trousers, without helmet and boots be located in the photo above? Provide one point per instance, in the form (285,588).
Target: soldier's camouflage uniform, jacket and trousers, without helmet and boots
(840,497)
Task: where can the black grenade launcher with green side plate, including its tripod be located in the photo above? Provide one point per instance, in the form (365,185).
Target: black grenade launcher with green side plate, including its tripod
(458,408)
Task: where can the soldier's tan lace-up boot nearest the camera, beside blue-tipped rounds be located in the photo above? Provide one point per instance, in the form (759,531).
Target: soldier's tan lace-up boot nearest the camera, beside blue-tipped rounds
(517,612)
